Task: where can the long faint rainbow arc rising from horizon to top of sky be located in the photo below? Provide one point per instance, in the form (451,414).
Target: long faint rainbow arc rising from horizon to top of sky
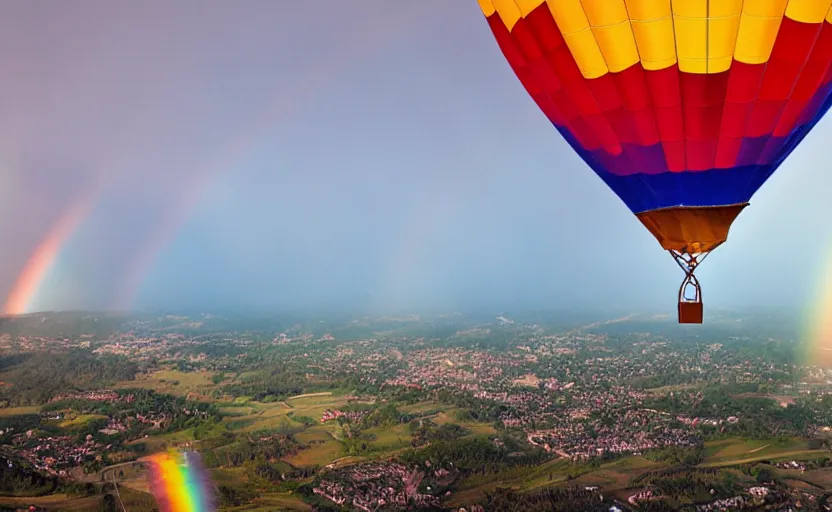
(279,108)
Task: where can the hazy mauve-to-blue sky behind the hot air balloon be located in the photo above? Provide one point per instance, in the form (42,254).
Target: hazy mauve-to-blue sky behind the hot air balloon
(212,154)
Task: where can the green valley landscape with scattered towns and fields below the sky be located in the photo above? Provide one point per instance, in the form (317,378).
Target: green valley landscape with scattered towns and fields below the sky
(443,412)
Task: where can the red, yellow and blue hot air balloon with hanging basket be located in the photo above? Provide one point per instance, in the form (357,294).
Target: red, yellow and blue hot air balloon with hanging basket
(684,108)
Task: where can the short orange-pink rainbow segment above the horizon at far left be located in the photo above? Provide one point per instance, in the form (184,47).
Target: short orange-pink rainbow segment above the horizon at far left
(25,288)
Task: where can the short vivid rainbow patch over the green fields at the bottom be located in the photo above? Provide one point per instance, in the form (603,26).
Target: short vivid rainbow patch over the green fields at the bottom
(180,483)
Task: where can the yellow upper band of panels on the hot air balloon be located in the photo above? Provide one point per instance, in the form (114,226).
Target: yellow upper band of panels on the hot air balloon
(702,36)
